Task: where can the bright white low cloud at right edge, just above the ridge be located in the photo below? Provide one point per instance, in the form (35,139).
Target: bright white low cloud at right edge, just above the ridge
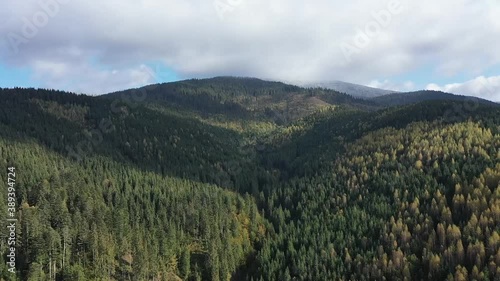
(483,87)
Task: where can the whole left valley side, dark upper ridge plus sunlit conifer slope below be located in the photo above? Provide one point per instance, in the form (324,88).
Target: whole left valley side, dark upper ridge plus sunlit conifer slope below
(119,213)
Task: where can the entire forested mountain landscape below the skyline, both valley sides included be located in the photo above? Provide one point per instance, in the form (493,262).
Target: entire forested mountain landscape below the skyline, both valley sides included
(142,186)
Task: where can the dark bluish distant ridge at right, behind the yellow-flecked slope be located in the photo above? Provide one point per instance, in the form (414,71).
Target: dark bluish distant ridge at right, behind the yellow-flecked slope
(396,99)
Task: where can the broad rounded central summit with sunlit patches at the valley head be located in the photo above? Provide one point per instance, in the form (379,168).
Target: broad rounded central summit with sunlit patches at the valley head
(239,97)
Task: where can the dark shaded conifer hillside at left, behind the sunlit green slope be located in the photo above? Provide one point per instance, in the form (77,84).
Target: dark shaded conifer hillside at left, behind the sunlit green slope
(164,142)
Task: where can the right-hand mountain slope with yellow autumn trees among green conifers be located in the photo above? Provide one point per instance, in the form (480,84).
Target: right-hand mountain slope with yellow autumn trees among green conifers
(368,196)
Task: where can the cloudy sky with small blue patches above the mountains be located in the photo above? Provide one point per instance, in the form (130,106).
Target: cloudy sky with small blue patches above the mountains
(96,47)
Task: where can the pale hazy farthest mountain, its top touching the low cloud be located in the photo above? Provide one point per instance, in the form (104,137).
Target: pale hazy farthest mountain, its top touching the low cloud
(354,90)
